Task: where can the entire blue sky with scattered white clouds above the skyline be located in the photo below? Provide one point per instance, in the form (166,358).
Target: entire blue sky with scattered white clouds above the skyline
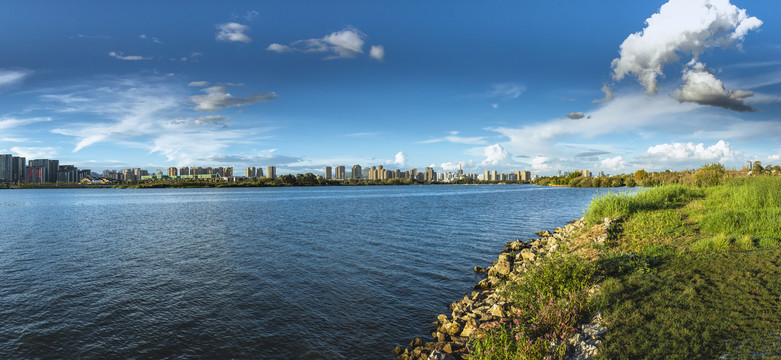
(544,86)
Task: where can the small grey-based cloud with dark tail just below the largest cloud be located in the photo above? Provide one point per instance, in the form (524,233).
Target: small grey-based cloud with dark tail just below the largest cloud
(700,86)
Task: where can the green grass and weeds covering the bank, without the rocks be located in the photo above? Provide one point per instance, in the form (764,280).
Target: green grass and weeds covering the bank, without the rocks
(688,273)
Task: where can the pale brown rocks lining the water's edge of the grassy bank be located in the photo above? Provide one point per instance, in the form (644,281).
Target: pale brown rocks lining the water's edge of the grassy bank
(486,305)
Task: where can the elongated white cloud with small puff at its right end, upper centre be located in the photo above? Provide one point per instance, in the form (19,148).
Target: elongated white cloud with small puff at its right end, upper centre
(347,43)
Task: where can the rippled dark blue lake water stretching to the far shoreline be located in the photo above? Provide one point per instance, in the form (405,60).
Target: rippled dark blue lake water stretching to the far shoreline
(262,273)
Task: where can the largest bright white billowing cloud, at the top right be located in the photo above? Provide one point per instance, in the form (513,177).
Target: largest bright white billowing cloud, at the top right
(680,27)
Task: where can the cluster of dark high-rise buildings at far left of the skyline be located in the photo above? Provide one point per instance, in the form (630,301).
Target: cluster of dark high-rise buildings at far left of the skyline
(16,169)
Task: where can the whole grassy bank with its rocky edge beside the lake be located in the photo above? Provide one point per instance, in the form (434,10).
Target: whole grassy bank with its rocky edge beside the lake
(675,271)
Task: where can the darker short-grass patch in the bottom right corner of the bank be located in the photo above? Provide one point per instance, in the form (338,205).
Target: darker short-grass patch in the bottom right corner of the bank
(696,307)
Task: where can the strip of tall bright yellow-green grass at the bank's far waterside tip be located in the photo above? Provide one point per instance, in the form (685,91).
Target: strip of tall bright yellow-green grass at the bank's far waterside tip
(612,205)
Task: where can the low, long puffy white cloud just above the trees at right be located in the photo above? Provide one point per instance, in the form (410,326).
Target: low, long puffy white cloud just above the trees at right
(683,152)
